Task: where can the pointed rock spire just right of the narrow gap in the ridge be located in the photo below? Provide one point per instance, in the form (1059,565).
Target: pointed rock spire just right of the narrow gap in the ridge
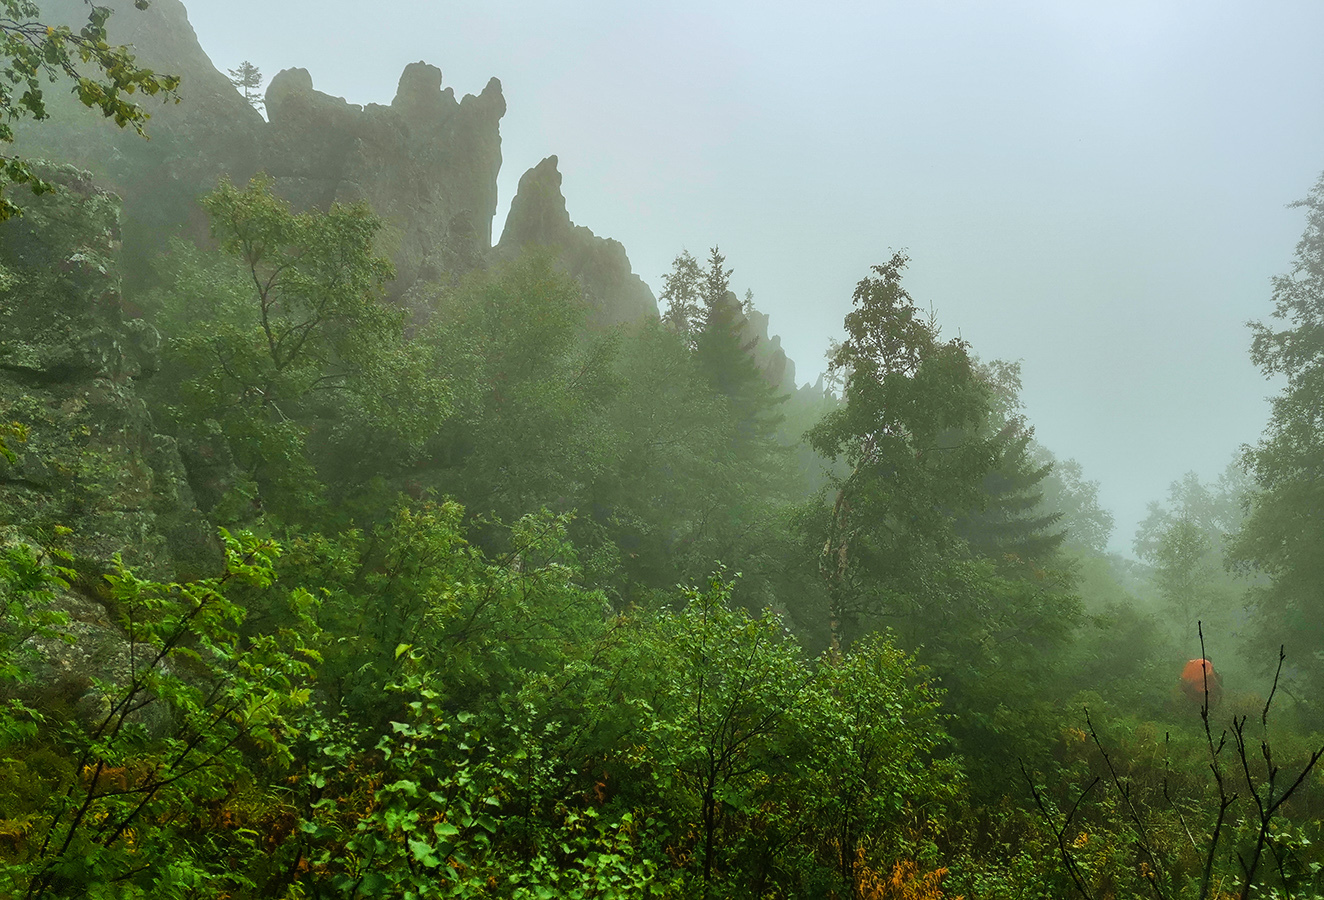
(538,218)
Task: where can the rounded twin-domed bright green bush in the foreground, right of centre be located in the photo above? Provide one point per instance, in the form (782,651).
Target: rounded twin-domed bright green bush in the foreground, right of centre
(766,775)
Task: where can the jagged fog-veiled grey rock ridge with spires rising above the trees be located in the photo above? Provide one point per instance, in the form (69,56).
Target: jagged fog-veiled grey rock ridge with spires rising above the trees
(427,163)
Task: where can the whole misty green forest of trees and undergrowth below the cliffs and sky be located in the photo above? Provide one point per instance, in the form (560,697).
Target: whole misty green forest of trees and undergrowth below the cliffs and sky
(320,586)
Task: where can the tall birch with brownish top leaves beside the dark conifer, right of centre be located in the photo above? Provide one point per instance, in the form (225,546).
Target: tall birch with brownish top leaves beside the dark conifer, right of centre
(910,400)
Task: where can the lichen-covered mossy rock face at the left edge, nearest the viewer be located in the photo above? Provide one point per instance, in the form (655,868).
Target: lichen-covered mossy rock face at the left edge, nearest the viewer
(70,362)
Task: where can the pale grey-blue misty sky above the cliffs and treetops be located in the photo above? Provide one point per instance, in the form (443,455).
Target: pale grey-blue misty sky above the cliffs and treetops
(1097,190)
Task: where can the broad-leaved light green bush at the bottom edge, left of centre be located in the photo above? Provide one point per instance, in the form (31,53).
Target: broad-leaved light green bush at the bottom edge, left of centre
(439,823)
